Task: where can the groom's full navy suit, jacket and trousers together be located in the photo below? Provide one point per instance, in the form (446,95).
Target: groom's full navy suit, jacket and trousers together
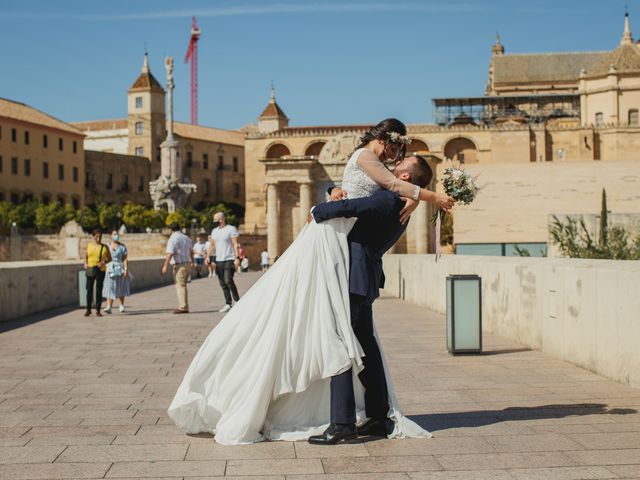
(377,229)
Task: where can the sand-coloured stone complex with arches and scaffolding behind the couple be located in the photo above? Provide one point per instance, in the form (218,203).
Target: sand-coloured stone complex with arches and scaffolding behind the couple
(576,108)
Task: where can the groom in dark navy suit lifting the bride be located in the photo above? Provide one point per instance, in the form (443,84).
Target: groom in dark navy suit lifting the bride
(377,229)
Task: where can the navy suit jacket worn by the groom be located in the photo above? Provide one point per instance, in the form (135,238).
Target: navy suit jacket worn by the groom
(377,229)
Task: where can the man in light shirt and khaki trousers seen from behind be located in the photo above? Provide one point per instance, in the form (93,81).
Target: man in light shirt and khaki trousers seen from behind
(180,255)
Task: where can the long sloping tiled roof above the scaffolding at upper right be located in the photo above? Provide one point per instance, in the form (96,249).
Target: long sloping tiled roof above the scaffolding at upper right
(544,67)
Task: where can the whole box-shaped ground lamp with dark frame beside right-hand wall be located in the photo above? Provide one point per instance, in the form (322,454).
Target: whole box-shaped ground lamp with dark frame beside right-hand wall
(464,314)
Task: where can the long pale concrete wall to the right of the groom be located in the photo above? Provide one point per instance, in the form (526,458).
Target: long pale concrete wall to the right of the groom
(586,312)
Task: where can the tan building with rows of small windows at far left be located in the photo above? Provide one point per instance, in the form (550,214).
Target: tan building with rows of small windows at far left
(41,157)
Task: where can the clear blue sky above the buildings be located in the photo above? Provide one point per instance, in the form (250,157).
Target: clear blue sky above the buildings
(332,62)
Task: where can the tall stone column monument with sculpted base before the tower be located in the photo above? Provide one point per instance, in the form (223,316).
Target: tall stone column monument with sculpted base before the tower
(167,189)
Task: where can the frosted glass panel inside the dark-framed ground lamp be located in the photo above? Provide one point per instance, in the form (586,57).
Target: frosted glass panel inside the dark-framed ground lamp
(467,314)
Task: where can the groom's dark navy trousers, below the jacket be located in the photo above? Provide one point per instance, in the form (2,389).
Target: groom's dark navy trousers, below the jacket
(343,406)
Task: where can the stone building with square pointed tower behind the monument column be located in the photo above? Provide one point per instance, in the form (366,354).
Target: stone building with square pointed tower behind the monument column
(213,159)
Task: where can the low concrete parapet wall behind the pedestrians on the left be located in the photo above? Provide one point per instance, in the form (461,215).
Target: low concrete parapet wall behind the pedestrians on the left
(32,287)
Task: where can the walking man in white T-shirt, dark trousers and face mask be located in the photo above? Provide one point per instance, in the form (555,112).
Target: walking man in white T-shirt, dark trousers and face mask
(224,241)
